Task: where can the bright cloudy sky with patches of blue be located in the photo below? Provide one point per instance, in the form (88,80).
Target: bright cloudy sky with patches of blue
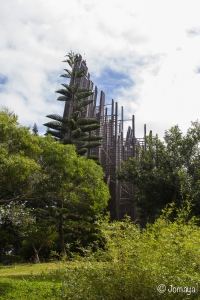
(143,54)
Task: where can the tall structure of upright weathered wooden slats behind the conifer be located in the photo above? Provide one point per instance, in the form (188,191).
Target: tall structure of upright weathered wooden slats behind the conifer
(115,146)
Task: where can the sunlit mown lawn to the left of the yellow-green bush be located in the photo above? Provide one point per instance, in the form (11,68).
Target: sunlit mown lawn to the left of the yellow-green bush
(44,281)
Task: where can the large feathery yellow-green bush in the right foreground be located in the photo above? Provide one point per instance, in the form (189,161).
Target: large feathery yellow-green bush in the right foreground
(165,254)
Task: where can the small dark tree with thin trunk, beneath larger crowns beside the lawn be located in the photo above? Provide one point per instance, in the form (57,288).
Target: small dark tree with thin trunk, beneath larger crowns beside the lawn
(20,225)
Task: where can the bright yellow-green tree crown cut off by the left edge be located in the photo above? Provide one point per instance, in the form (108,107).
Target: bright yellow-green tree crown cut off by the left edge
(19,150)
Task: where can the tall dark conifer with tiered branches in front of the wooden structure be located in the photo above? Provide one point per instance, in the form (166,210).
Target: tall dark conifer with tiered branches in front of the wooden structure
(75,129)
